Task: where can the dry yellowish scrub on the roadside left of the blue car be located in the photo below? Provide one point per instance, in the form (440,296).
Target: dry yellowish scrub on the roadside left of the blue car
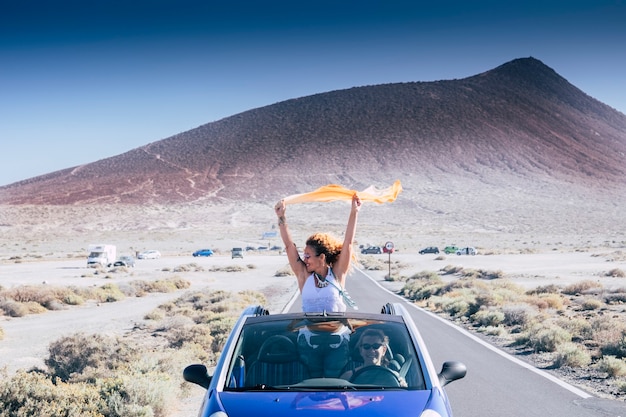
(135,375)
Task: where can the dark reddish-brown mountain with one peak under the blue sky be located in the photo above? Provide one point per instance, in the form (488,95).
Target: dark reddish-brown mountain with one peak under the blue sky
(520,126)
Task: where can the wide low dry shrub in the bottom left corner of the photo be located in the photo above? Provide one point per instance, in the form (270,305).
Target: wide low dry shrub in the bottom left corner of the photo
(35,394)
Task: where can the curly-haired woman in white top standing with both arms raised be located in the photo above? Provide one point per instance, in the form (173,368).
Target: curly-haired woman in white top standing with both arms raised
(325,263)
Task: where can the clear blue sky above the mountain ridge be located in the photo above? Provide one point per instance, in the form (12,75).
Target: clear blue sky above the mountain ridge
(85,80)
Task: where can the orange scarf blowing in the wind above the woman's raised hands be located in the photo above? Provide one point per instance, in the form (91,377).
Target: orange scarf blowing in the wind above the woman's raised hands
(334,192)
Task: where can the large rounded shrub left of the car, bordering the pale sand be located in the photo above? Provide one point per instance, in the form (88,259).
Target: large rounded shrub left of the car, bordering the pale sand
(71,355)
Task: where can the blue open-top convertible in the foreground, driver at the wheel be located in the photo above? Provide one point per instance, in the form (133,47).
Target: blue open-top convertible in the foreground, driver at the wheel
(261,370)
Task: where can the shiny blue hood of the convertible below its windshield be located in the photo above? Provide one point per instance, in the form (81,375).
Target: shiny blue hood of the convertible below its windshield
(366,403)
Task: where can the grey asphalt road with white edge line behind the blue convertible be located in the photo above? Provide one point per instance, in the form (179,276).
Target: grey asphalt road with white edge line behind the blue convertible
(496,384)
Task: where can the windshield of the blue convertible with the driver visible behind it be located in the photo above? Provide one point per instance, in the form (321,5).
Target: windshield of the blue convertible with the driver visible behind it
(323,353)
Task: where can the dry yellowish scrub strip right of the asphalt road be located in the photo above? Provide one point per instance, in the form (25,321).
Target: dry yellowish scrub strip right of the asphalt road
(570,324)
